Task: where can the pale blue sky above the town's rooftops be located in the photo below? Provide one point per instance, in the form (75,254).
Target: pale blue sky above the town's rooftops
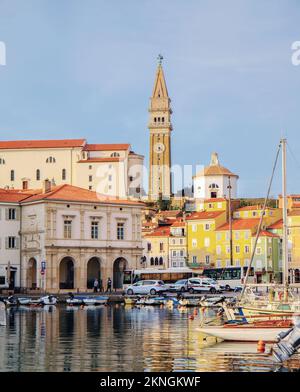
(85,69)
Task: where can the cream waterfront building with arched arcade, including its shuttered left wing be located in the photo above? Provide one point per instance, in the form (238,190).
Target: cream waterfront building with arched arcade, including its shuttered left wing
(70,236)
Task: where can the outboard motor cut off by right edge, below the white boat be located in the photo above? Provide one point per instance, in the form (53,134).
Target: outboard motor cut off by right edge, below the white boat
(289,342)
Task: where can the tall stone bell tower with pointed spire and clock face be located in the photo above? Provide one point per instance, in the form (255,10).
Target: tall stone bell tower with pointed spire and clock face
(160,128)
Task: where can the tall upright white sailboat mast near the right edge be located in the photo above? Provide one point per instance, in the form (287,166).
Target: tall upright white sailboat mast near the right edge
(285,266)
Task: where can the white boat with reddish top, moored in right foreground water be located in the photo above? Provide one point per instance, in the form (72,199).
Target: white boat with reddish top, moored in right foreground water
(251,332)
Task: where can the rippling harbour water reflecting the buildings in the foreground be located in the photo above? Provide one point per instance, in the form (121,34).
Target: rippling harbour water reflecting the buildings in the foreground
(119,338)
